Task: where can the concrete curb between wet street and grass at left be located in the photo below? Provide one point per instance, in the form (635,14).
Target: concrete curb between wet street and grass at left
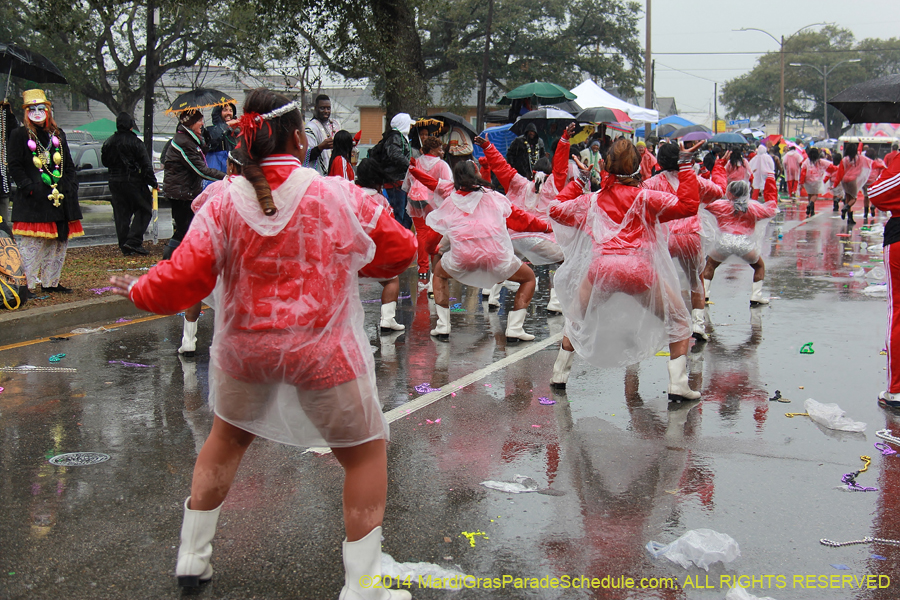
(61,319)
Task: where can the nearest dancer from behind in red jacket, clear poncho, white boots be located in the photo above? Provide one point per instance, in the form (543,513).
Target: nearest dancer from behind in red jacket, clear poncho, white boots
(290,360)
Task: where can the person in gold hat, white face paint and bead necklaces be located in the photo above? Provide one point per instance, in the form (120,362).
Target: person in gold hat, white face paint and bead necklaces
(45,211)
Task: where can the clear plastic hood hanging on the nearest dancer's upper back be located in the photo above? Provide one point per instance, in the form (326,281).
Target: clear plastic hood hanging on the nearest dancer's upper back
(287,197)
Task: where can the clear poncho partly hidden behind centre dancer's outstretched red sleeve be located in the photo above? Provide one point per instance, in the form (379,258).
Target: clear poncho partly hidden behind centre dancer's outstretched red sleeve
(536,248)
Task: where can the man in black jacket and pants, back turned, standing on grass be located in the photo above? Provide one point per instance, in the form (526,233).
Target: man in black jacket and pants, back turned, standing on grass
(130,179)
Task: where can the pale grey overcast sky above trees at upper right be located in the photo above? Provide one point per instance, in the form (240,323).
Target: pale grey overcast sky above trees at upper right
(705,26)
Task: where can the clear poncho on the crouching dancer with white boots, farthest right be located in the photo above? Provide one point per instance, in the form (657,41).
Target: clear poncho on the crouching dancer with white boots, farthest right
(733,230)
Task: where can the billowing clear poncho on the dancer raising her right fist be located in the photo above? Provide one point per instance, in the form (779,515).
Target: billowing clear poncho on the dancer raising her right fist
(618,286)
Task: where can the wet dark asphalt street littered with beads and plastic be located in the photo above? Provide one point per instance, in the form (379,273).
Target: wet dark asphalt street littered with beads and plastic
(616,466)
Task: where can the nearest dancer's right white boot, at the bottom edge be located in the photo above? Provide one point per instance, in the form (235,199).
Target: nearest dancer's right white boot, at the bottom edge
(362,571)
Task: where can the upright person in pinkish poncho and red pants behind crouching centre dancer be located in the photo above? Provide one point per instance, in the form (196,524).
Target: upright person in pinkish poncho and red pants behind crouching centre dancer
(419,199)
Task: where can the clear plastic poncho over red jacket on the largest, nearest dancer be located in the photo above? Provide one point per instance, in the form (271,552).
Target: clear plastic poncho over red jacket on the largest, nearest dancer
(292,365)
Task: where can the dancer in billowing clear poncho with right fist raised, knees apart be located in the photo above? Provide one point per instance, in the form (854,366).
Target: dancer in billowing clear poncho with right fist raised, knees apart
(618,286)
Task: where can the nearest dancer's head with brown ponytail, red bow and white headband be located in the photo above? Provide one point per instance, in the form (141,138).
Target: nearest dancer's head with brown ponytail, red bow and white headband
(267,127)
